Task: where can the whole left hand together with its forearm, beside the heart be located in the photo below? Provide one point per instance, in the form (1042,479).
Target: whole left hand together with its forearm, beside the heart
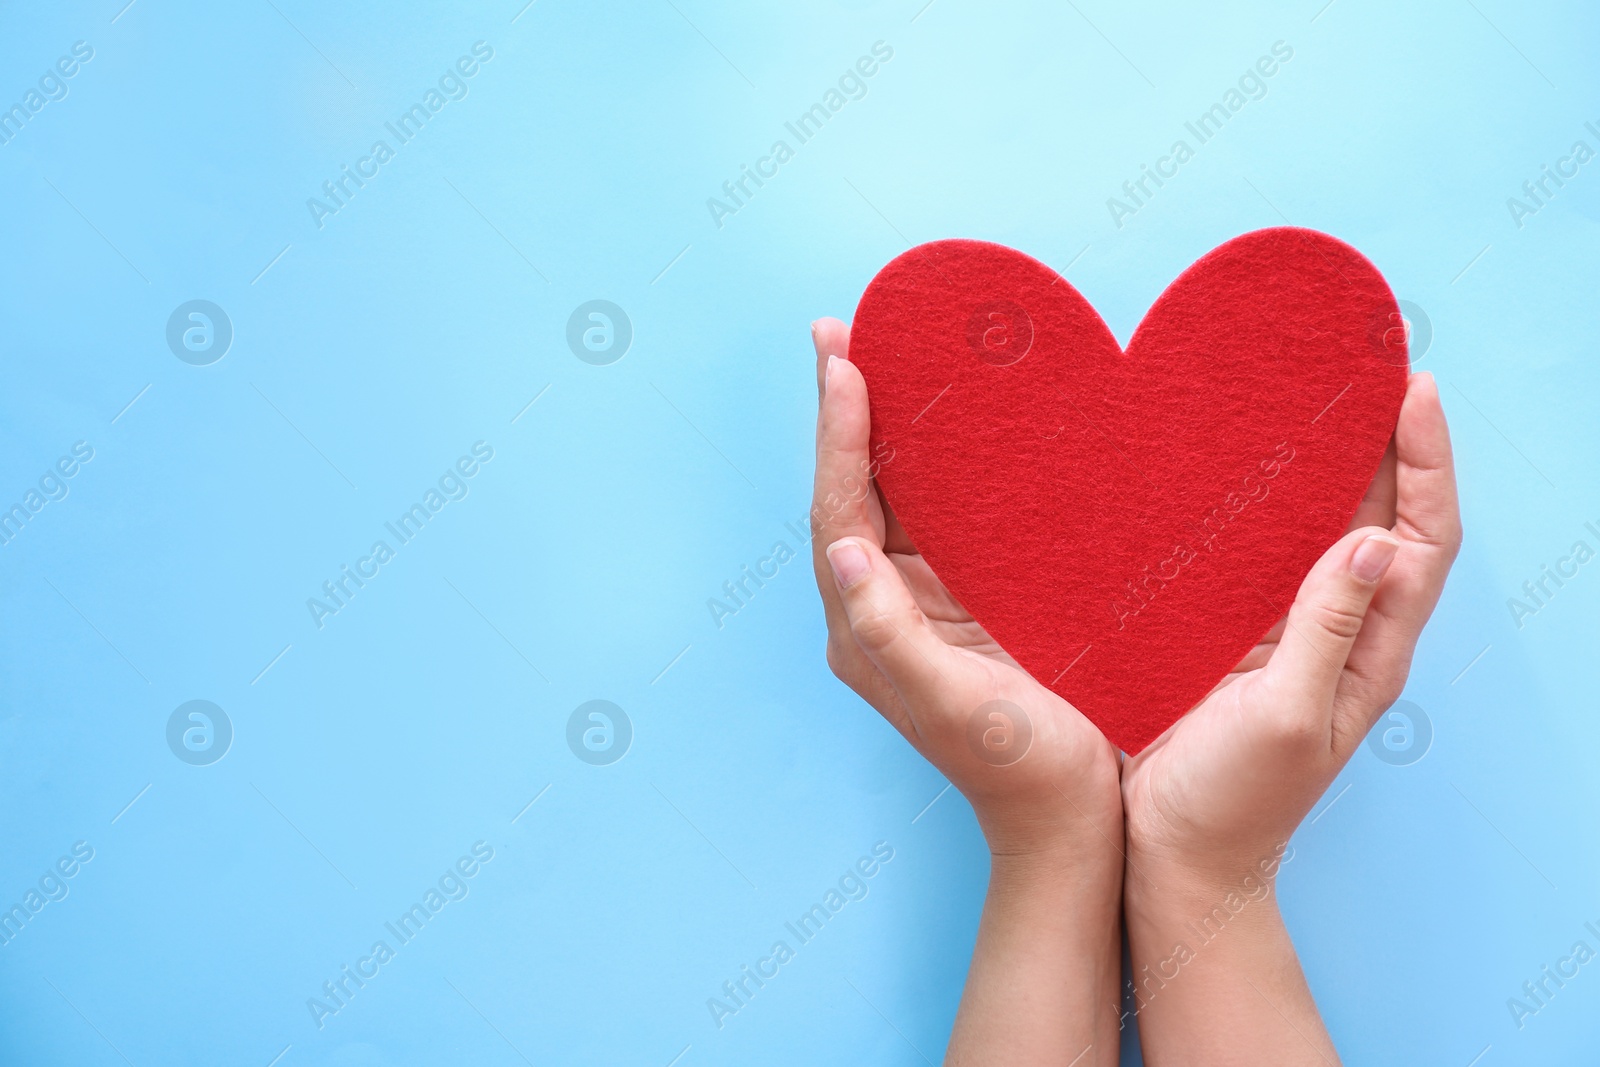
(1042,988)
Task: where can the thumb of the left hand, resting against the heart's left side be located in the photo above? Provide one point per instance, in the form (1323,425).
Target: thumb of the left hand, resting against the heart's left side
(887,625)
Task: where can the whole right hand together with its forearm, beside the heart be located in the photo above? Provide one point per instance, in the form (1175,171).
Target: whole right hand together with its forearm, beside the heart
(1212,804)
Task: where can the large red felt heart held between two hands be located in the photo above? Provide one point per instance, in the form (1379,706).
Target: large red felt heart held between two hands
(1129,524)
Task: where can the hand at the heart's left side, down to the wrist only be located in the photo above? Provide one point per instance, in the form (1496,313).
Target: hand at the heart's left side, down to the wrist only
(900,639)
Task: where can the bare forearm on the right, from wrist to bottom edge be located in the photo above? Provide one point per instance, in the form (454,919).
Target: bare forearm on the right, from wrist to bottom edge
(1217,980)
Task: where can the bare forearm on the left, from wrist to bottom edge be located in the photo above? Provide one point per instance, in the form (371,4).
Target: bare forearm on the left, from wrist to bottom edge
(1042,988)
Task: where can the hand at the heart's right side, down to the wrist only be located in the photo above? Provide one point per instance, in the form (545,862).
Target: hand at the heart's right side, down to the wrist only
(1226,786)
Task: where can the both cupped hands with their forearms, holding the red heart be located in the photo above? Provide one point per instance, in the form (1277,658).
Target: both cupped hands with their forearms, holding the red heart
(1082,841)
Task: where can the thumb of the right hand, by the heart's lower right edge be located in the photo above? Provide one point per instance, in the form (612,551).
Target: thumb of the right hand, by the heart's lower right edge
(1324,625)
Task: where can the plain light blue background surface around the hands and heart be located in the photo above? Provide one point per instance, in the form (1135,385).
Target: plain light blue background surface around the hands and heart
(417,322)
